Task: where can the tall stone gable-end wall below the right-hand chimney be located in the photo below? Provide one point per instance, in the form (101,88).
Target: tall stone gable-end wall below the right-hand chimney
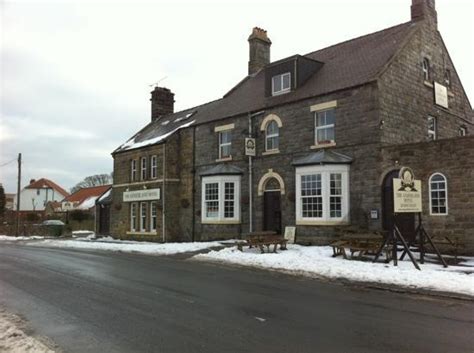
(406,99)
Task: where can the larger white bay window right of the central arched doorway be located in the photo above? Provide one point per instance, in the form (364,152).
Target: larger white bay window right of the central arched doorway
(322,194)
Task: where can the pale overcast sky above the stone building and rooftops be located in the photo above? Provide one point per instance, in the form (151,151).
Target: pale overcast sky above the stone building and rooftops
(76,76)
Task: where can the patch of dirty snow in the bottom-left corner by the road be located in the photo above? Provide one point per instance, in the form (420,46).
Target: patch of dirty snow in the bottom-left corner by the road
(13,338)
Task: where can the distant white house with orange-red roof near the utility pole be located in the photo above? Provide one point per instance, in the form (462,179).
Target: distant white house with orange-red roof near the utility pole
(38,193)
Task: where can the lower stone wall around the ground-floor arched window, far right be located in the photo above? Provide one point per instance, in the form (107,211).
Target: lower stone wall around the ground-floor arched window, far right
(454,158)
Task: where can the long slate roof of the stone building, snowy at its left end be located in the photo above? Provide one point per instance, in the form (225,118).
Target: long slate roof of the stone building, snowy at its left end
(347,64)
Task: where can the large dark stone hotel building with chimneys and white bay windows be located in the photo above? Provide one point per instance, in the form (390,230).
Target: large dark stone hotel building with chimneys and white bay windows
(331,130)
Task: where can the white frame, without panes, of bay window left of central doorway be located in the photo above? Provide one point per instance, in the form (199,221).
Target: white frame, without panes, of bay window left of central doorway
(221,180)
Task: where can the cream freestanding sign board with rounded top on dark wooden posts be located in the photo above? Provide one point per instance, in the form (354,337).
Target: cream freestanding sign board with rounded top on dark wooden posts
(406,192)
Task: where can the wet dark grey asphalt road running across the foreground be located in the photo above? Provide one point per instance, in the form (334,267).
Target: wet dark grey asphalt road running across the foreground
(110,302)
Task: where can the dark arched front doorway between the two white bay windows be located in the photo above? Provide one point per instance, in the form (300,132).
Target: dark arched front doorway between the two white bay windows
(272,205)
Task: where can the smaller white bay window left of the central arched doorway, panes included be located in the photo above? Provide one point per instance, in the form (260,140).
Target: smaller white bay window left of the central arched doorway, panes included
(221,199)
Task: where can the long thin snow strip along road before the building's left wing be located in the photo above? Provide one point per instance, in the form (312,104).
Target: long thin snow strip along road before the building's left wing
(111,244)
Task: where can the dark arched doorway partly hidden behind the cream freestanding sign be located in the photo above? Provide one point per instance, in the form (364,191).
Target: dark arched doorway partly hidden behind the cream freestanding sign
(405,221)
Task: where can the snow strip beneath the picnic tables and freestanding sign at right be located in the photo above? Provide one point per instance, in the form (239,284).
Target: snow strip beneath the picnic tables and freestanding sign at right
(317,261)
